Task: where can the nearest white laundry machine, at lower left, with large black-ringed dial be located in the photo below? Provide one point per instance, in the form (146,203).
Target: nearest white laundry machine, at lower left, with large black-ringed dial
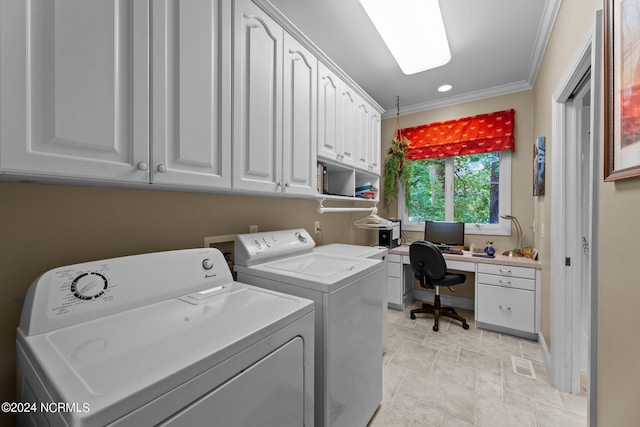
(163,339)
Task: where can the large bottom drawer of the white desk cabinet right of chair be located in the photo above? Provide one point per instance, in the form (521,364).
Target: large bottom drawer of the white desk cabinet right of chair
(506,307)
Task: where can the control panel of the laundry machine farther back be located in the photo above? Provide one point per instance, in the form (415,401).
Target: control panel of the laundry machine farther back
(257,248)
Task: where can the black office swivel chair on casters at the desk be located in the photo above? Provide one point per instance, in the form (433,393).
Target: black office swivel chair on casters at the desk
(430,268)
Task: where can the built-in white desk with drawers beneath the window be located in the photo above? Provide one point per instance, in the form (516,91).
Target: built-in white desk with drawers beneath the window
(507,289)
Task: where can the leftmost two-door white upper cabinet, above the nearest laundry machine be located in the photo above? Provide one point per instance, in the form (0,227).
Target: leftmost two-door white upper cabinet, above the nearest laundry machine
(76,101)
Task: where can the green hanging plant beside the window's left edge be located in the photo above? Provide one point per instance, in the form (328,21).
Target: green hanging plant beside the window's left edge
(396,170)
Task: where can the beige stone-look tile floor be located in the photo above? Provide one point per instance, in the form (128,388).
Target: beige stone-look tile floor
(463,378)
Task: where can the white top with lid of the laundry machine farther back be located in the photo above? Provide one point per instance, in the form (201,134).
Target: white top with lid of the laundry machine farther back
(318,271)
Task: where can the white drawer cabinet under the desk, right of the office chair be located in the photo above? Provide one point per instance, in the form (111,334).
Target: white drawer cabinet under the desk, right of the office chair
(506,299)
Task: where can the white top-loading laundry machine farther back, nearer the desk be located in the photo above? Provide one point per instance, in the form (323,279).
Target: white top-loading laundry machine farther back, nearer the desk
(349,296)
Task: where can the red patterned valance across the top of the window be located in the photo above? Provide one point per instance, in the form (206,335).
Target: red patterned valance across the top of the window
(470,135)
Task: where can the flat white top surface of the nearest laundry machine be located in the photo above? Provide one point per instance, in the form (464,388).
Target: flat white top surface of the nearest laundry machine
(118,363)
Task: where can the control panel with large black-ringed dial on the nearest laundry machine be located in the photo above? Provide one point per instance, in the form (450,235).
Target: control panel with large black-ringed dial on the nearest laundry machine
(81,292)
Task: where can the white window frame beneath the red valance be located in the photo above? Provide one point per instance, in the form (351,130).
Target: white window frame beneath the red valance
(502,228)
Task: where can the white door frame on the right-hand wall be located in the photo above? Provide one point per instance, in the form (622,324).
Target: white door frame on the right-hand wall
(563,288)
